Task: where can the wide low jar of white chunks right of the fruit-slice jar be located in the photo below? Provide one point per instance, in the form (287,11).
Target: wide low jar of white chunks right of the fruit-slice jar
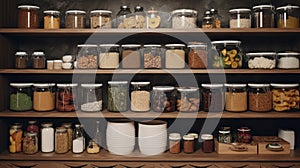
(262,60)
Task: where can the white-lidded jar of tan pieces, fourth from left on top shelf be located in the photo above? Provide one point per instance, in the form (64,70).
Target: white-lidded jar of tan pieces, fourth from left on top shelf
(101,19)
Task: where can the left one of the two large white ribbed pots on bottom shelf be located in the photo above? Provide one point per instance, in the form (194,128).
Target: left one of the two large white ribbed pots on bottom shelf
(120,137)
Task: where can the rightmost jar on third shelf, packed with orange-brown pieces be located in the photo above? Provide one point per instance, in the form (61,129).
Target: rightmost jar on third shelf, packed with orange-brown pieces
(285,97)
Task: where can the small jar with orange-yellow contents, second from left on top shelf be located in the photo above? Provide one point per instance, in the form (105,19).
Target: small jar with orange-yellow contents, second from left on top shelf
(51,19)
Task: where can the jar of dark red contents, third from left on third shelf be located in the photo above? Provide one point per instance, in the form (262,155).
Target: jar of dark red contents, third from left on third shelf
(66,97)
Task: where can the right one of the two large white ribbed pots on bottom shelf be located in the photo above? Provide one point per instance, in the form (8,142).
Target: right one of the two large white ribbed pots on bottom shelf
(152,137)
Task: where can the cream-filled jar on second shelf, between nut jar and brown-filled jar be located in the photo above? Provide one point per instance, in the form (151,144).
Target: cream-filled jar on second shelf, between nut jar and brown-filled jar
(109,56)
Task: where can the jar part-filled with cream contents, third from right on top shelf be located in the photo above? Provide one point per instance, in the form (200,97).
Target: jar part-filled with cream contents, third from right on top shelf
(240,18)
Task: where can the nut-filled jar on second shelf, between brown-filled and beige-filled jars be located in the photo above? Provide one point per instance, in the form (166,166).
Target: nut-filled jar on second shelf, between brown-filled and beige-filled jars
(153,56)
